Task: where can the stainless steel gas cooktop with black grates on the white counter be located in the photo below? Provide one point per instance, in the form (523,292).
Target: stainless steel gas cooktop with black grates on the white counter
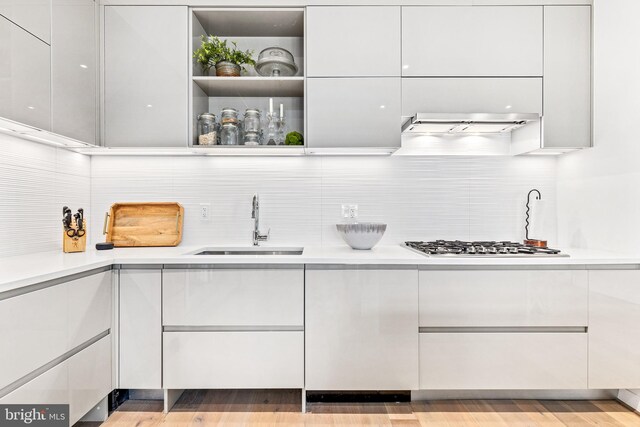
(481,249)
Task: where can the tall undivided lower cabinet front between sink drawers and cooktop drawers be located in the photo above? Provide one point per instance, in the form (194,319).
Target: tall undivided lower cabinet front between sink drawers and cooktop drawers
(361,328)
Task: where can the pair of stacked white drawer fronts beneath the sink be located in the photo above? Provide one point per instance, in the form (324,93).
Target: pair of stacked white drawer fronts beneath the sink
(233,327)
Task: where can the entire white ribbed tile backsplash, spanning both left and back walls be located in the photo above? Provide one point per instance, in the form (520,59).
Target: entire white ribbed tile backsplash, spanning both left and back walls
(418,197)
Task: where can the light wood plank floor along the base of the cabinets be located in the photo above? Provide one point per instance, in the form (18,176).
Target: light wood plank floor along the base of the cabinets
(282,408)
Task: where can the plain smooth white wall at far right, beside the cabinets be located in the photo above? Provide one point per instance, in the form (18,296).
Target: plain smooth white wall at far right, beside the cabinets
(599,189)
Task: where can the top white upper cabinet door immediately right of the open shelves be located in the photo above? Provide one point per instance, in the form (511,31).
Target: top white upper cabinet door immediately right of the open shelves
(353,41)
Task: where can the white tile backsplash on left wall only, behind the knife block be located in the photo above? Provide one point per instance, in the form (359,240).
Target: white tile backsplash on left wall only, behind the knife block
(36,181)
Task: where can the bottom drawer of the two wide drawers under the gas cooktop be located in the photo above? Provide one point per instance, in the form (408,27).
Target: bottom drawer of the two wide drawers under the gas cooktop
(502,361)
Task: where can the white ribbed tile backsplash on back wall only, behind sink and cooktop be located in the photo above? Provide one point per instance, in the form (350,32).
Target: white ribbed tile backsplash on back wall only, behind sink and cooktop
(420,198)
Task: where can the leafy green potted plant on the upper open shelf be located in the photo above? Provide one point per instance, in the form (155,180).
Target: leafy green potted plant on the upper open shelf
(227,60)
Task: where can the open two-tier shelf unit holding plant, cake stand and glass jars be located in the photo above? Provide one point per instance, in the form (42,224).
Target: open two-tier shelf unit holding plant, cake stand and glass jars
(265,102)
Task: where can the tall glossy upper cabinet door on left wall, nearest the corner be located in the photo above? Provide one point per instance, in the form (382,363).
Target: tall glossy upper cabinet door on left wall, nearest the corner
(74,69)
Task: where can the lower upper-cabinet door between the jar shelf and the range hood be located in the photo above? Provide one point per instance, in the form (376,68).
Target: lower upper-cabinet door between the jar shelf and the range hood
(353,113)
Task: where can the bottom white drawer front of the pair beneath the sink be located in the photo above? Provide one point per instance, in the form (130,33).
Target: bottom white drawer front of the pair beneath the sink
(233,359)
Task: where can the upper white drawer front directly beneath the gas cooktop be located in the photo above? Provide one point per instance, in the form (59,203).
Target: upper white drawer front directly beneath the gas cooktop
(518,298)
